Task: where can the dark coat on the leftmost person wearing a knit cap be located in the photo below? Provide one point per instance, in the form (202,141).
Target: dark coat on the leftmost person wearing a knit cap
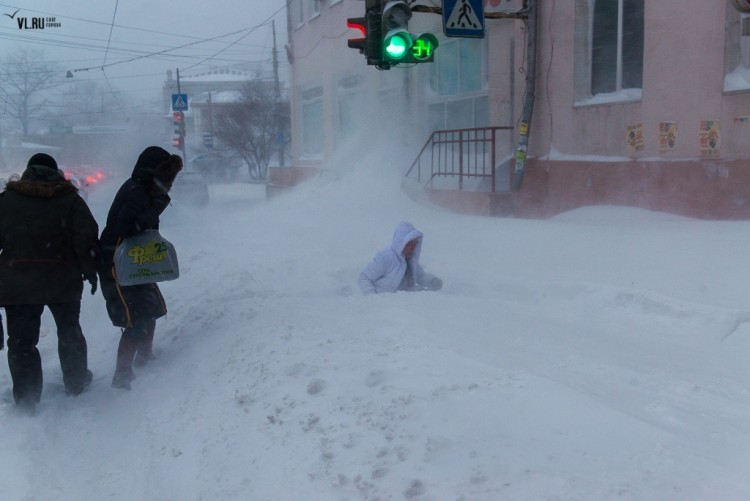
(48,239)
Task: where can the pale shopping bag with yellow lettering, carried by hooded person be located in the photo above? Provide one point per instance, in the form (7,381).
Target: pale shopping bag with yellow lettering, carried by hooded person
(145,258)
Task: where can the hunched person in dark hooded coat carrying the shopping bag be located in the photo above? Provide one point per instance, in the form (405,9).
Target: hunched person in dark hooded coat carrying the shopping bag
(136,207)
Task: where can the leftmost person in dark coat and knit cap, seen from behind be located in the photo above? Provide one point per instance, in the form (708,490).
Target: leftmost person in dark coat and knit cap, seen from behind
(49,244)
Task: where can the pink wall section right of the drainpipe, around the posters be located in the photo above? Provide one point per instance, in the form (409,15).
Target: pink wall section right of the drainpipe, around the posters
(683,82)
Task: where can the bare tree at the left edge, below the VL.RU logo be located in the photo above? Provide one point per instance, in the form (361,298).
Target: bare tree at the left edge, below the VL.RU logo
(24,77)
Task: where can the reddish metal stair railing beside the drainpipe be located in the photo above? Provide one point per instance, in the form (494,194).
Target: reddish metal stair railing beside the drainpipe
(462,154)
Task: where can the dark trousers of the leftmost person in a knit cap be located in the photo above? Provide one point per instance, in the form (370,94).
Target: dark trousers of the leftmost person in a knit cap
(24,322)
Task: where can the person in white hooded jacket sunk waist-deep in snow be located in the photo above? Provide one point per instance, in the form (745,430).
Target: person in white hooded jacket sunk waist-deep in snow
(397,267)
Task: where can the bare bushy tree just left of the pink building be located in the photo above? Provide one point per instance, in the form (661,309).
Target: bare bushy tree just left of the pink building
(250,127)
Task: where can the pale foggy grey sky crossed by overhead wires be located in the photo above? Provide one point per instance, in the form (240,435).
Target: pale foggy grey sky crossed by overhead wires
(87,39)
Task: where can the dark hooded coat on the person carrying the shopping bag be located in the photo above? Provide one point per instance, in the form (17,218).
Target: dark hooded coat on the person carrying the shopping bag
(136,207)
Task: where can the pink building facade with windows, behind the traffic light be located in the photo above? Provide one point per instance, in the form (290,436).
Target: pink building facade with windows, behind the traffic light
(636,102)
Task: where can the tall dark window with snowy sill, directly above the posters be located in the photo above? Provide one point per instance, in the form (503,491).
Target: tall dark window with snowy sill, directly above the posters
(616,46)
